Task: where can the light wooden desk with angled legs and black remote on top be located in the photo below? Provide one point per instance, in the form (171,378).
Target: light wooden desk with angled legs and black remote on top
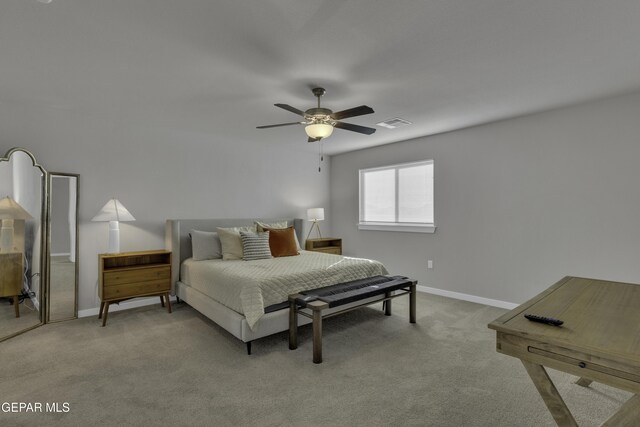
(599,341)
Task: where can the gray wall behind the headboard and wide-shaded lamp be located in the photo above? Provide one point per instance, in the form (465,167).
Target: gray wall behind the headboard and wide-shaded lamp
(159,171)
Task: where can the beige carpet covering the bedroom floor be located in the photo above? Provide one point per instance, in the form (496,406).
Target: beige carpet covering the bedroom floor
(148,367)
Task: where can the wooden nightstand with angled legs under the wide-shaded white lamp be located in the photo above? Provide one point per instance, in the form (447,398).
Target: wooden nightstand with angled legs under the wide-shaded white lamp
(129,275)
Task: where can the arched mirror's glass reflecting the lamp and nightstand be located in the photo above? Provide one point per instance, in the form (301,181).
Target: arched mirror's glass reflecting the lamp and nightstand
(22,242)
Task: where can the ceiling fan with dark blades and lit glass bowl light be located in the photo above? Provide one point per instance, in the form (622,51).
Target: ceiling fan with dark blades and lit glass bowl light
(319,122)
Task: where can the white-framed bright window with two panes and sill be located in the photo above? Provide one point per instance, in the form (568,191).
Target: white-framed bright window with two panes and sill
(397,198)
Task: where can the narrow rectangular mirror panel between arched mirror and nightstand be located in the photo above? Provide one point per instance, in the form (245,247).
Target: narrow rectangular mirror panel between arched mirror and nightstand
(63,246)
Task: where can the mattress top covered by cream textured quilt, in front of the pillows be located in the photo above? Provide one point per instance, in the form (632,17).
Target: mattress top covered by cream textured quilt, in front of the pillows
(247,287)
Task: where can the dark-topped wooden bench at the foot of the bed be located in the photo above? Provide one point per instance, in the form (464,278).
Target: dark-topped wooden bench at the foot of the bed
(362,290)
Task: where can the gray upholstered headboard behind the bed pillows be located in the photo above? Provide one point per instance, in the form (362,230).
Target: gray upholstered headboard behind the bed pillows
(177,238)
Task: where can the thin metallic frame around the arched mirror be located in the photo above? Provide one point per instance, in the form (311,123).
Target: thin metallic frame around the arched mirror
(44,246)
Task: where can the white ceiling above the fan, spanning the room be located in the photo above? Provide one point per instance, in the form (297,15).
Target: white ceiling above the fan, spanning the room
(217,67)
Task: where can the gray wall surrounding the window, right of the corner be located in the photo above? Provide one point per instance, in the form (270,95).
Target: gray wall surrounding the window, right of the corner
(518,203)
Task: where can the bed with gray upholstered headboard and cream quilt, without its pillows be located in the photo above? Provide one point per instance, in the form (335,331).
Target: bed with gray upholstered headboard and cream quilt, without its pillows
(249,298)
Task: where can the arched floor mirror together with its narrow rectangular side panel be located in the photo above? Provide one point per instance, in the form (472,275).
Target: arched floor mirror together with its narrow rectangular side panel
(38,244)
